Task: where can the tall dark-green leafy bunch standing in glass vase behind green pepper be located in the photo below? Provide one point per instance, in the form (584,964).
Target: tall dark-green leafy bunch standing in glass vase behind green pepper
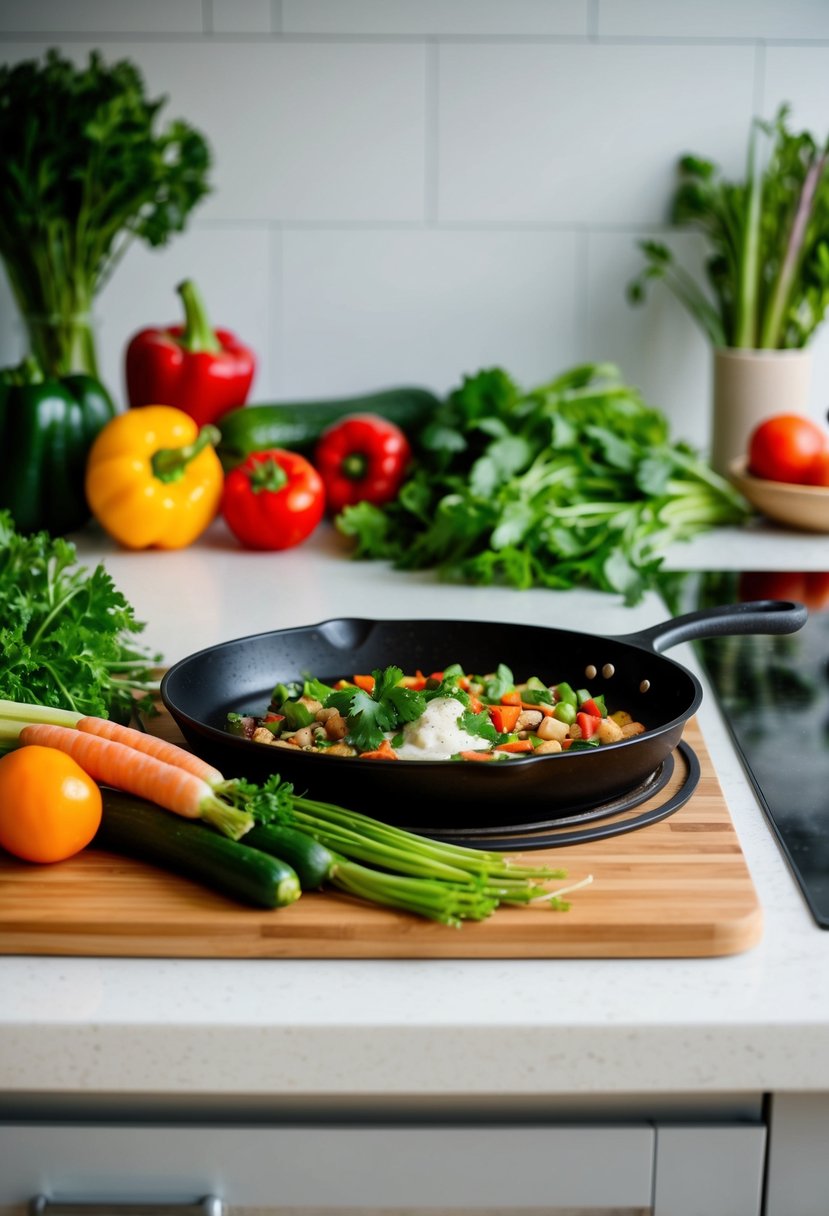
(84,171)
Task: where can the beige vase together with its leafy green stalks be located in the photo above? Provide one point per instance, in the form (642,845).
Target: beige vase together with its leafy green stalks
(768,275)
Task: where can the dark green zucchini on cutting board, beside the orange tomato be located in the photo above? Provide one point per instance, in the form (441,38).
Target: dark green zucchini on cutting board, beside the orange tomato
(136,829)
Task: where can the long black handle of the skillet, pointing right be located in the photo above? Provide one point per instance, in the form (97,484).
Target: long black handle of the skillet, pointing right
(755,617)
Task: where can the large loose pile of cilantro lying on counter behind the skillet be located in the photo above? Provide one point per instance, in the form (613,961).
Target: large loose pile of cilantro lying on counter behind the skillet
(577,482)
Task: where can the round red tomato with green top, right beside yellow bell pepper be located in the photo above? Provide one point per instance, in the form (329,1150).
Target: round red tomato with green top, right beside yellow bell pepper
(273,500)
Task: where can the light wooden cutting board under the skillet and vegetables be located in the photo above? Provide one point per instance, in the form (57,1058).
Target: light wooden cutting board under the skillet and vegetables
(676,888)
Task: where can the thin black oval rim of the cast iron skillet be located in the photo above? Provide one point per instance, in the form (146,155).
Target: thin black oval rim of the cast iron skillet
(219,736)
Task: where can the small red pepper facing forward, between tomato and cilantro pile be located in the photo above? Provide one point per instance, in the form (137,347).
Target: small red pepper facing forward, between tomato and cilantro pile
(362,459)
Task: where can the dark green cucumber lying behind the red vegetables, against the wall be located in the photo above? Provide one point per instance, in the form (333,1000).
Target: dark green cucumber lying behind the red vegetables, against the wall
(297,426)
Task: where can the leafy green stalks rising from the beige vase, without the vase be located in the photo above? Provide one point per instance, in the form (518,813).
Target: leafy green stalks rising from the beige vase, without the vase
(769,238)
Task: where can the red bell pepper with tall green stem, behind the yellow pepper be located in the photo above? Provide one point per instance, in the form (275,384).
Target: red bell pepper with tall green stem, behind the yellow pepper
(204,371)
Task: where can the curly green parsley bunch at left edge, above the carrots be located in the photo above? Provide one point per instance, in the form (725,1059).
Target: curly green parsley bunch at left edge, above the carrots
(67,633)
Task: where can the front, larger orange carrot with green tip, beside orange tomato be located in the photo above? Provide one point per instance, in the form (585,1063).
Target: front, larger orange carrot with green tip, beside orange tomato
(116,764)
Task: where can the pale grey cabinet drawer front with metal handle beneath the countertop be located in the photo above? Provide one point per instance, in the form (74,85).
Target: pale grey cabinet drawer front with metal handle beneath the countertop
(641,1168)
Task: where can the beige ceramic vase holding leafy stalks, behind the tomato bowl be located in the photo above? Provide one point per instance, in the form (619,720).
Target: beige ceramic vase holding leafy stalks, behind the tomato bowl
(751,386)
